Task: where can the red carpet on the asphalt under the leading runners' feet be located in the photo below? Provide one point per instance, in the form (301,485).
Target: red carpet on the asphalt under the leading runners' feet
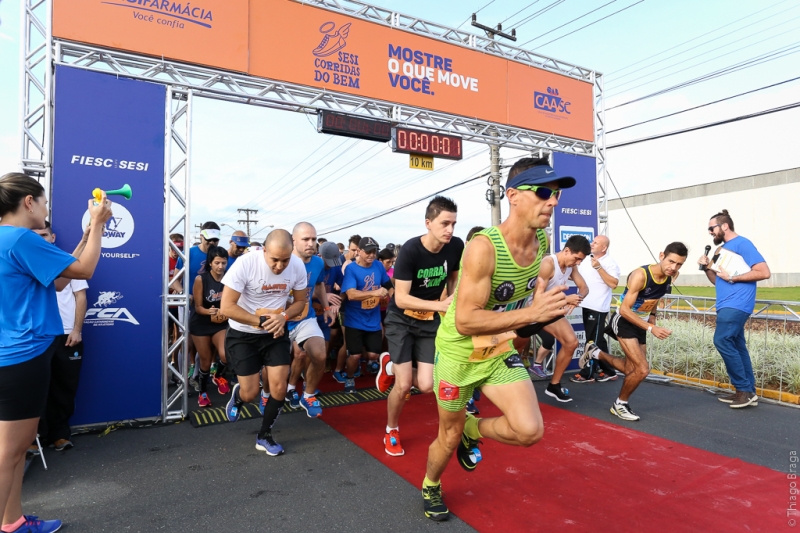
(585,475)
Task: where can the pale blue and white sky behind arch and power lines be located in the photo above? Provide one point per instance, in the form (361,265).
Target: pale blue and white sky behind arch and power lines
(289,172)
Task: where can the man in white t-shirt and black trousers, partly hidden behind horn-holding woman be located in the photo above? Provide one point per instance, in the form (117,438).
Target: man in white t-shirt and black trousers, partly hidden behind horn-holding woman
(65,367)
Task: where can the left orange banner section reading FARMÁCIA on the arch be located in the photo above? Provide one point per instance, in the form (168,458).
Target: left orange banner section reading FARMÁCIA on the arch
(204,32)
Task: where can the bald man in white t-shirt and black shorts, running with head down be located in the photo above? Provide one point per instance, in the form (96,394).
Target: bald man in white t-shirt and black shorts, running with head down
(257,288)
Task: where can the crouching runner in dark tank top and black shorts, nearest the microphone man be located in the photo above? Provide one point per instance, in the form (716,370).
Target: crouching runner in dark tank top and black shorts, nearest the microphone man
(636,317)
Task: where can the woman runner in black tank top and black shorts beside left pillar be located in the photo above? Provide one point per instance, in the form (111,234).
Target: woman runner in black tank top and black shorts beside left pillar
(207,325)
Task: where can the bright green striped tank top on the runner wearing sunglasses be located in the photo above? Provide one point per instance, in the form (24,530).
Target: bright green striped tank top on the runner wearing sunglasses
(512,288)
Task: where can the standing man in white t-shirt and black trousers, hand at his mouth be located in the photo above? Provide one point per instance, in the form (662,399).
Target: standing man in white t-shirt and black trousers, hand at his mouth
(602,276)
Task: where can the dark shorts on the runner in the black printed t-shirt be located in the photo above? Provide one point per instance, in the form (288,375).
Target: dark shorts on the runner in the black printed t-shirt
(410,339)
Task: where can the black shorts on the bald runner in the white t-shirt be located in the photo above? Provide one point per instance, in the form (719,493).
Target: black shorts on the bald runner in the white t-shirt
(248,352)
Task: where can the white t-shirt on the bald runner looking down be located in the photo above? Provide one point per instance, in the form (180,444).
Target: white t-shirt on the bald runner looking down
(260,287)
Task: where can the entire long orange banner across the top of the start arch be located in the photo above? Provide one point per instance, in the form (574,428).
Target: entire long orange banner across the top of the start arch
(289,41)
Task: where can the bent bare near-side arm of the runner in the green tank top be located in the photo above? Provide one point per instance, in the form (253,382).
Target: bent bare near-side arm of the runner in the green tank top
(476,283)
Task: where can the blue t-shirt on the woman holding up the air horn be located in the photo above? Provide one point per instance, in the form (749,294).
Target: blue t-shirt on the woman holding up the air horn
(28,306)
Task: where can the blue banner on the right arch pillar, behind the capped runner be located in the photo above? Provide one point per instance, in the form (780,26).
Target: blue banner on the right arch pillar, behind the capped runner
(576,214)
